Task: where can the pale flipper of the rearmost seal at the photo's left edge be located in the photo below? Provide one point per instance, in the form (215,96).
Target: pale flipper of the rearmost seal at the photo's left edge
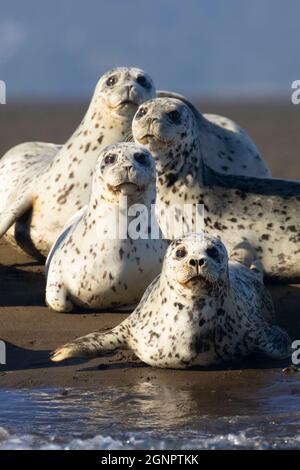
(14,210)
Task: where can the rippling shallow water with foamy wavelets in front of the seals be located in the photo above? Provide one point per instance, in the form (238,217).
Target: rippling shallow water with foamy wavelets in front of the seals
(147,416)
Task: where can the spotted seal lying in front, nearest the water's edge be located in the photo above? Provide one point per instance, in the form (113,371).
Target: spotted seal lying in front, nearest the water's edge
(201,310)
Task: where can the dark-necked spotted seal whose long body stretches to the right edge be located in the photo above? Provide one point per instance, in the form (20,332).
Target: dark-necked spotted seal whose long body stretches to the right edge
(265,212)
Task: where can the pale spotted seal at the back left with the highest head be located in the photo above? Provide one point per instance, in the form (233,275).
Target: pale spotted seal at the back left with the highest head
(46,196)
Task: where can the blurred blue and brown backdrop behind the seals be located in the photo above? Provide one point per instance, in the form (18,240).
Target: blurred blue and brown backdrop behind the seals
(233,57)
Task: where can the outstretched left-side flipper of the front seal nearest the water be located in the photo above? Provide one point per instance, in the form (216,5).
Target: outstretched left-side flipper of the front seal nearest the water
(94,344)
